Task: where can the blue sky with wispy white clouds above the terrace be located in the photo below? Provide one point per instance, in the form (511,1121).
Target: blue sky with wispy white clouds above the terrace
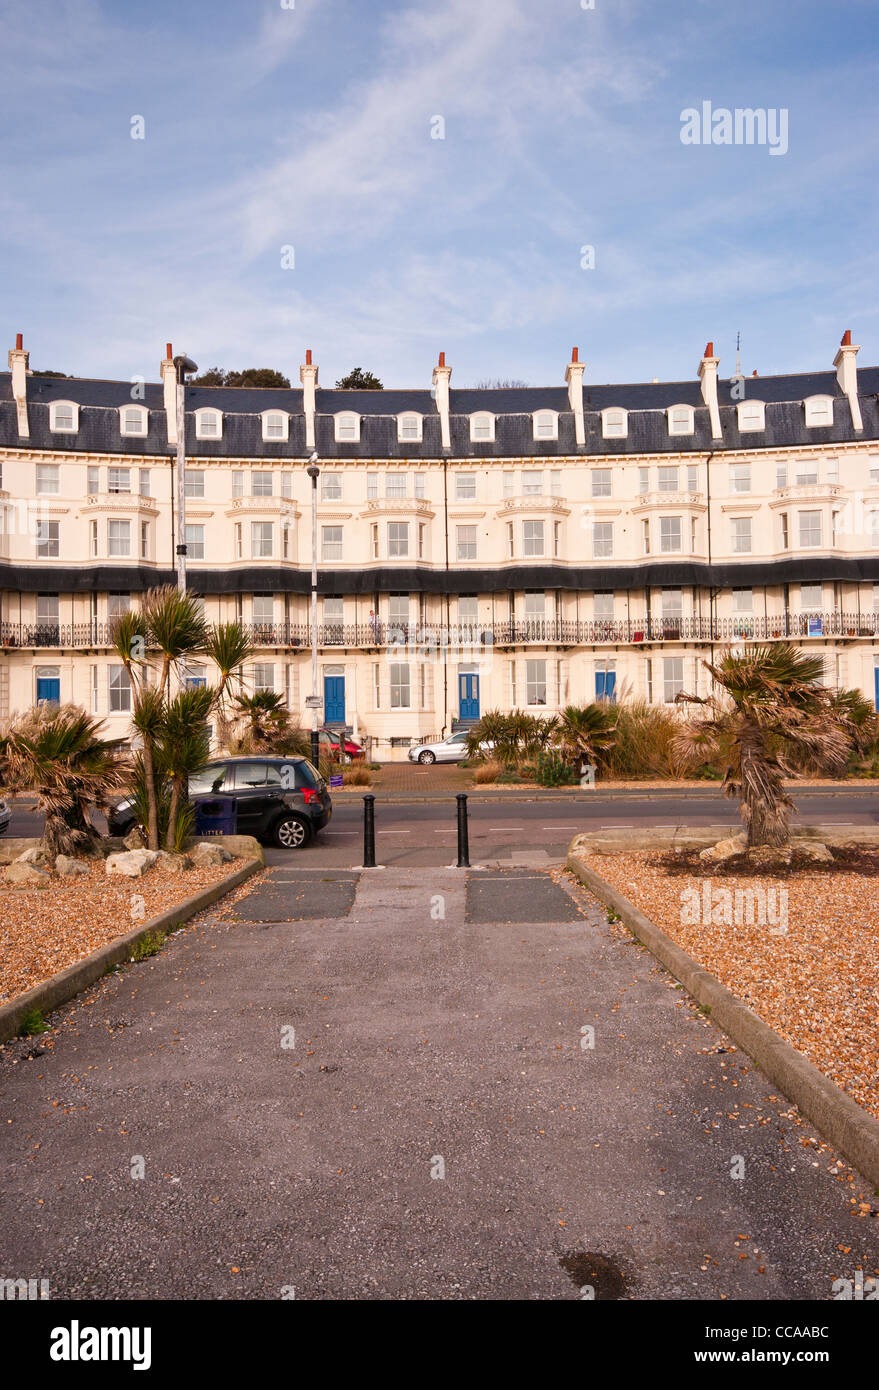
(311,127)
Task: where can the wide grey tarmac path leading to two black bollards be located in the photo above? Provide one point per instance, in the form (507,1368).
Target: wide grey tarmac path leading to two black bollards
(379,1086)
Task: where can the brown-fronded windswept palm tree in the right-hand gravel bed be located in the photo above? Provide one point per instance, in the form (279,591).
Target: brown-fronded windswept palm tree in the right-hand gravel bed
(768,714)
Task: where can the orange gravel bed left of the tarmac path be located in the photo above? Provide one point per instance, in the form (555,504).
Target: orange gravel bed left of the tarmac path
(51,929)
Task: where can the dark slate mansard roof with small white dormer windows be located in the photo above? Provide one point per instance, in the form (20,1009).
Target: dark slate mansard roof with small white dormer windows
(647,402)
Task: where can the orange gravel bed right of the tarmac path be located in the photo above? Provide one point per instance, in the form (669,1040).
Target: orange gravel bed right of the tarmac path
(816,983)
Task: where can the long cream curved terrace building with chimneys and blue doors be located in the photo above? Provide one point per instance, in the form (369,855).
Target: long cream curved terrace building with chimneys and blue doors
(478,548)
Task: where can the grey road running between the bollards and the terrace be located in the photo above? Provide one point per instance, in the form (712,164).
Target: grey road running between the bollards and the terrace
(424,835)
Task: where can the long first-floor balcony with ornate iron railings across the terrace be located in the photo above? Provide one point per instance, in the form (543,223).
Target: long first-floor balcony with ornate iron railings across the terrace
(372,636)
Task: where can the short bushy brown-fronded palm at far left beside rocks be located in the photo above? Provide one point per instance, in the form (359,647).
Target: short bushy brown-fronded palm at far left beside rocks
(59,753)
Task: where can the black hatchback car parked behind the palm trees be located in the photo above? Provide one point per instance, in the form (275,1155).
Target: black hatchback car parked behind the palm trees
(280,800)
